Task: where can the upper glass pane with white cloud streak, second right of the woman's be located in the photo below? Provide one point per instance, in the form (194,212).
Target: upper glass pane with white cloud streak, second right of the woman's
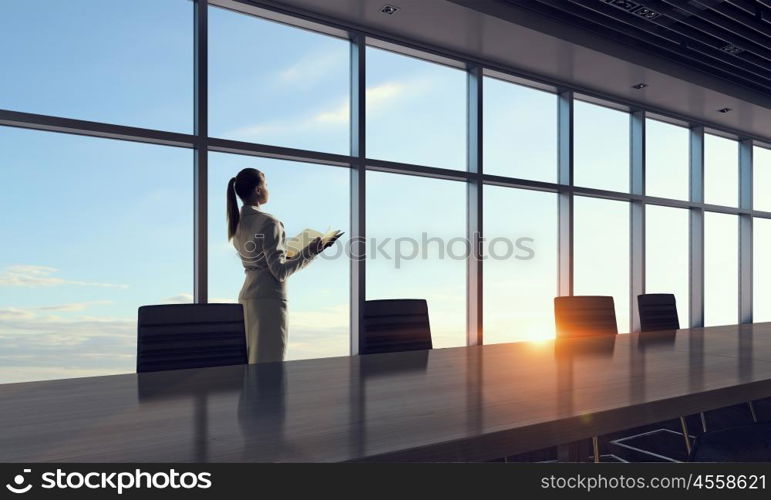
(416,111)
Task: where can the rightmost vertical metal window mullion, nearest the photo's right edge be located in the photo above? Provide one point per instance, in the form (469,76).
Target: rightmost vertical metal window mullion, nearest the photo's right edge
(745,231)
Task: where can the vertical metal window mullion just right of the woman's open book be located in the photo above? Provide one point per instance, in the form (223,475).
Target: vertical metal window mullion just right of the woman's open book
(358,189)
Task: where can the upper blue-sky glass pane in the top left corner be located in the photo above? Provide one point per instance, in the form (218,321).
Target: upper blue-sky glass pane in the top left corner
(129,63)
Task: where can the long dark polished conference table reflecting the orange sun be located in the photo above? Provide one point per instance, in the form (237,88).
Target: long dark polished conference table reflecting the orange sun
(455,404)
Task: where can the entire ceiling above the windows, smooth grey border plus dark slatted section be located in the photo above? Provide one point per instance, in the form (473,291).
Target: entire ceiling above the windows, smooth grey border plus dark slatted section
(563,49)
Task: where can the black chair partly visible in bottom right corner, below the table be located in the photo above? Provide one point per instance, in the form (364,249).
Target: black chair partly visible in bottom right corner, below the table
(749,443)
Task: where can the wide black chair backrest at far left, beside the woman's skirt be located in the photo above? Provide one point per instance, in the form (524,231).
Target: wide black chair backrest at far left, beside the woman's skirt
(178,336)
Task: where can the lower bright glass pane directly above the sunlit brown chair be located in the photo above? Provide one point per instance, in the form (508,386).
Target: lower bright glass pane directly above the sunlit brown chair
(601,252)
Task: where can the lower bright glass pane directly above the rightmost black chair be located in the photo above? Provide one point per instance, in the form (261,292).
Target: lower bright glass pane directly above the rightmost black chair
(667,263)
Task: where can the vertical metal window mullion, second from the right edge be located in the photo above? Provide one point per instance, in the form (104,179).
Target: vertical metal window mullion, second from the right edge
(696,271)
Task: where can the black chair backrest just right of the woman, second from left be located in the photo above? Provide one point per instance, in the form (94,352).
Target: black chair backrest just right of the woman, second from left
(395,325)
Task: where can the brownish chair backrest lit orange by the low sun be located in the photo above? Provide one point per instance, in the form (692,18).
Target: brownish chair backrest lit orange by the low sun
(584,316)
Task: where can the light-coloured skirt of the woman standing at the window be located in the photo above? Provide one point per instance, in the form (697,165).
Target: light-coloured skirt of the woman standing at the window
(266,329)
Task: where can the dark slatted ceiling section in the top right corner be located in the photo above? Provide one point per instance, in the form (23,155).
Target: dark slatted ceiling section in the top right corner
(728,39)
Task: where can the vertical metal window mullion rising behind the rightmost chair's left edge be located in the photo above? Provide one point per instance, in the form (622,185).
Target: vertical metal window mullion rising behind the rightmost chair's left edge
(636,215)
